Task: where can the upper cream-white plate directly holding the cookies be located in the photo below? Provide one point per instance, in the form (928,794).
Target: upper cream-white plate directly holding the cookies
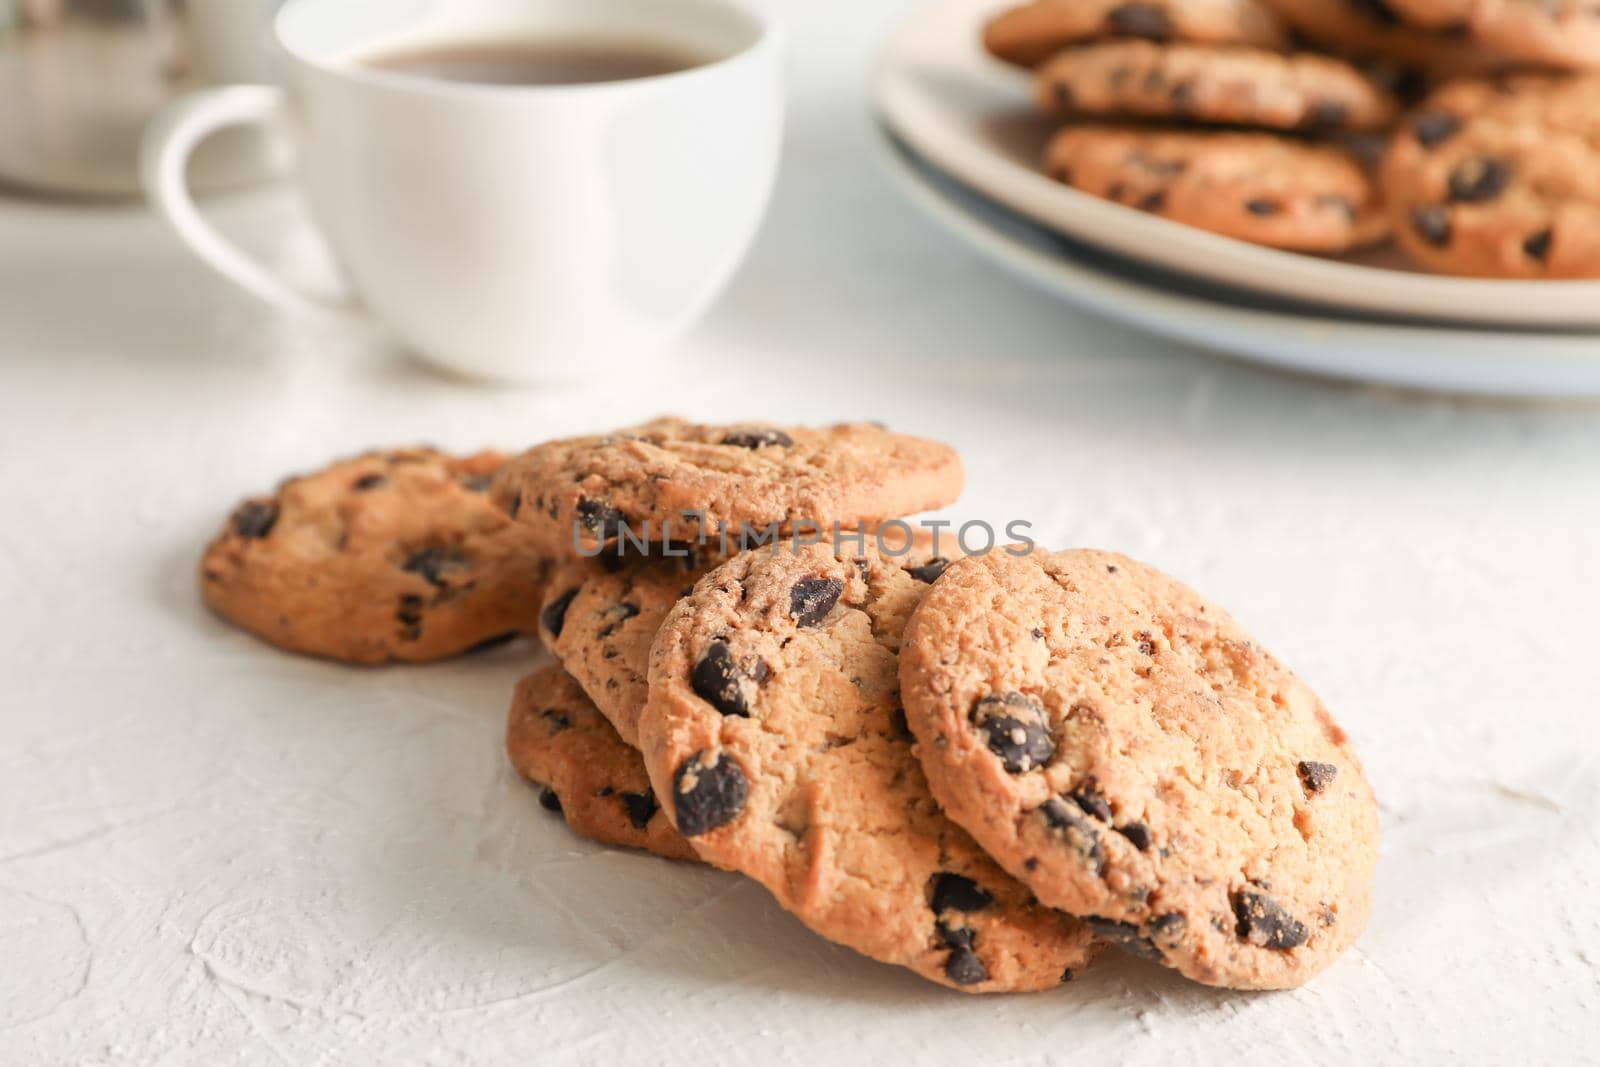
(970,116)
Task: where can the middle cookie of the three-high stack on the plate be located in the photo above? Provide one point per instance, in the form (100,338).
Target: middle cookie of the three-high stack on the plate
(1242,87)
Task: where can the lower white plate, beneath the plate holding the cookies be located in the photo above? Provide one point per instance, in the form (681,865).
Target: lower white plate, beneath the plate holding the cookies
(1508,364)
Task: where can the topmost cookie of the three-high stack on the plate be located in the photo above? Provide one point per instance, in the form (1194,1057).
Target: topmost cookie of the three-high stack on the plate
(1034,33)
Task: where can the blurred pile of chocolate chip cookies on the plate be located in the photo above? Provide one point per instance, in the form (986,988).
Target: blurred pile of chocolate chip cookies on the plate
(1468,130)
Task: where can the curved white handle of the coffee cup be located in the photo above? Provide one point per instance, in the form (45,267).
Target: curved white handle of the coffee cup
(172,140)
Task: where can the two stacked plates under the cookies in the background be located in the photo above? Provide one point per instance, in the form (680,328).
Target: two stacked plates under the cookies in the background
(962,143)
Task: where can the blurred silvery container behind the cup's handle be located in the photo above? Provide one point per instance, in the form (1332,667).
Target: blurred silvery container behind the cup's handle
(81,79)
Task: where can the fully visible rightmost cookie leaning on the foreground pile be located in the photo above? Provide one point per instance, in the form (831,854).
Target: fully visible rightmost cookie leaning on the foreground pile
(1130,754)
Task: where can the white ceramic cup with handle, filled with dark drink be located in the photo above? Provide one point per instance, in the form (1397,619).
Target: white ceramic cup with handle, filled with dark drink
(508,233)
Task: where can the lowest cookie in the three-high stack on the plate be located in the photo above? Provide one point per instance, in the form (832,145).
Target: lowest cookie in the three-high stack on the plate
(1262,188)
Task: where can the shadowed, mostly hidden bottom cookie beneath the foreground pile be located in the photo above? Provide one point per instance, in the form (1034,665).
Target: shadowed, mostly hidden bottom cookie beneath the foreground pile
(558,740)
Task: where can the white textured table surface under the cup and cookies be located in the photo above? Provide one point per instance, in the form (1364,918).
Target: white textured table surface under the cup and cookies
(217,853)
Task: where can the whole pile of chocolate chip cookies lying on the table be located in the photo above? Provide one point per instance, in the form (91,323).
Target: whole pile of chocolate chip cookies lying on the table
(982,762)
